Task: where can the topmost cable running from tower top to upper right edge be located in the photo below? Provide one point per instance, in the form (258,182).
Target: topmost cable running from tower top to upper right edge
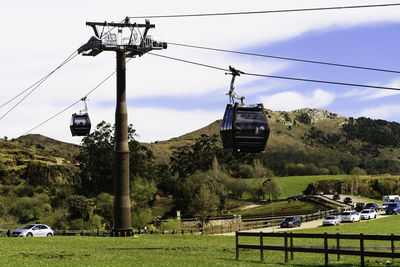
(264,11)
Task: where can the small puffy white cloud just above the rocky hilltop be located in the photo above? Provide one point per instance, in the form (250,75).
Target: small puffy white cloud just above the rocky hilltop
(292,100)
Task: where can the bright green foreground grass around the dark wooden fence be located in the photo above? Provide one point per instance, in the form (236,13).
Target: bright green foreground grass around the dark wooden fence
(176,250)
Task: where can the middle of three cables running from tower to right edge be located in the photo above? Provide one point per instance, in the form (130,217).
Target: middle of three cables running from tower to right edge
(284,58)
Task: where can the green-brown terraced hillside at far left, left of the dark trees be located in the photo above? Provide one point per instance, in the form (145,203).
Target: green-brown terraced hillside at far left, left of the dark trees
(37,160)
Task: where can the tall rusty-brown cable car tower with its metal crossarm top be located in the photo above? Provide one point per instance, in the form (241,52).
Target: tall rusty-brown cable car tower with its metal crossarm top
(137,44)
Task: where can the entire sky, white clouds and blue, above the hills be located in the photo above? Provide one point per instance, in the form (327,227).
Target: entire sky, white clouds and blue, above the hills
(168,98)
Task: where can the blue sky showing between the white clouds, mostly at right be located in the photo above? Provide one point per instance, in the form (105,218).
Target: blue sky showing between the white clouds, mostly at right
(374,45)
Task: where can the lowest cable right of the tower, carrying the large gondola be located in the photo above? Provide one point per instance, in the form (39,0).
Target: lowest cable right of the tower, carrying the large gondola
(281,77)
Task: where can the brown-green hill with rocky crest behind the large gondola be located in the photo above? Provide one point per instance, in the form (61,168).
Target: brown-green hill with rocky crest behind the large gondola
(315,136)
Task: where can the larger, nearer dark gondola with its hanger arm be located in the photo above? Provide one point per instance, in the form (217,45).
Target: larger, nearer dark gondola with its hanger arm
(244,128)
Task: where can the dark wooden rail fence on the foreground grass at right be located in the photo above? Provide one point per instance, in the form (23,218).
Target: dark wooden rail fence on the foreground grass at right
(325,249)
